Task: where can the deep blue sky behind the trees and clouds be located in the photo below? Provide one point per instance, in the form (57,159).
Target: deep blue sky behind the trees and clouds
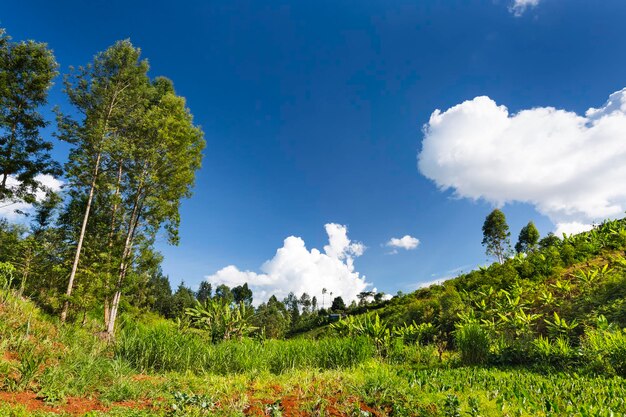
(314,114)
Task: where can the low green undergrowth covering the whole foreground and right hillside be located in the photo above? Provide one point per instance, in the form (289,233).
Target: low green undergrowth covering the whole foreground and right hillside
(500,341)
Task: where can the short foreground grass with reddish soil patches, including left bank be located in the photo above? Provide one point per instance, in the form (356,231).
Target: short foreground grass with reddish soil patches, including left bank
(72,366)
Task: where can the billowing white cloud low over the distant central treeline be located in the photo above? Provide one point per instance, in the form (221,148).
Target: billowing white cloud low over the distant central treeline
(296,269)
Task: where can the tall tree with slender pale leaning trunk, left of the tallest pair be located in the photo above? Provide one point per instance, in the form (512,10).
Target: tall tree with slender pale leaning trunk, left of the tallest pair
(104,92)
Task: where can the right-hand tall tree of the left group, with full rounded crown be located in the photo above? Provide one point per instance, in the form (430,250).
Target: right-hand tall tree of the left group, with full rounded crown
(164,155)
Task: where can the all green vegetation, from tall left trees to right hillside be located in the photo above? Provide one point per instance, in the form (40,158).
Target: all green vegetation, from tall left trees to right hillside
(536,333)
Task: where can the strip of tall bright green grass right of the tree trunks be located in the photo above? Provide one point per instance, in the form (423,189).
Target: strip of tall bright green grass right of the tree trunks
(162,347)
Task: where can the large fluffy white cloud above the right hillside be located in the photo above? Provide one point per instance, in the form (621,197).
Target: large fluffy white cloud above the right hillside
(572,168)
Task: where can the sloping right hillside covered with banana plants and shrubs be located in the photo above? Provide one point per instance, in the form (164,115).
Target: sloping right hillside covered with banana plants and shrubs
(551,299)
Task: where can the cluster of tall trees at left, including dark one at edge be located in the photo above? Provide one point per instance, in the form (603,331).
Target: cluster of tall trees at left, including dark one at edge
(134,152)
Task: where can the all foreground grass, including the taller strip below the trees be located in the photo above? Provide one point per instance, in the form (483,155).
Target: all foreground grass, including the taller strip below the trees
(342,375)
